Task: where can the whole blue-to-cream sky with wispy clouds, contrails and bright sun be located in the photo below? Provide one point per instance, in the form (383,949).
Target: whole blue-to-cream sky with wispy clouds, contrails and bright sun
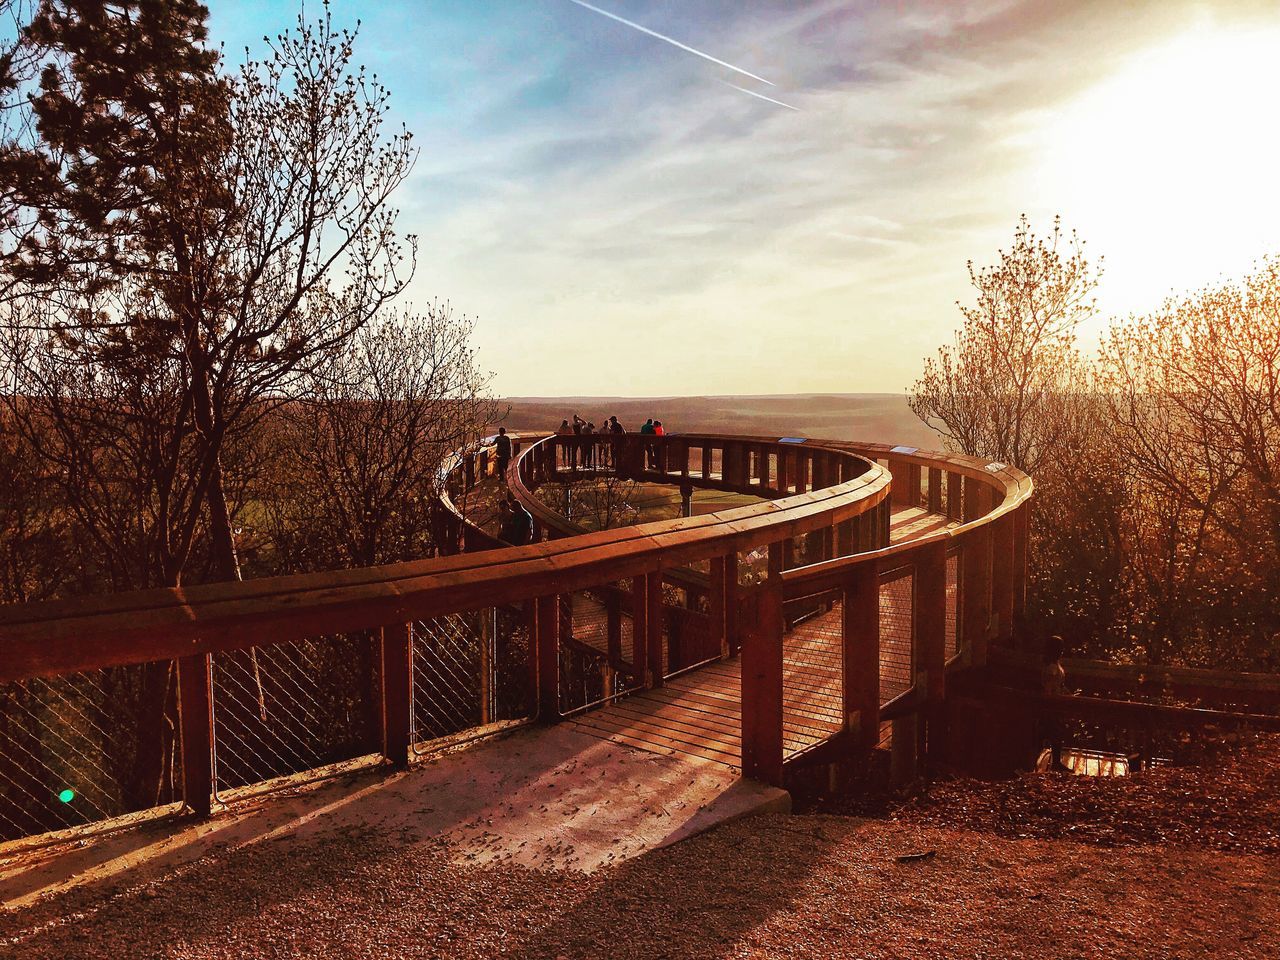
(625,216)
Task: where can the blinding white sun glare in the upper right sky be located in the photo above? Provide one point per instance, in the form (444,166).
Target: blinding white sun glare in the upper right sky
(1169,167)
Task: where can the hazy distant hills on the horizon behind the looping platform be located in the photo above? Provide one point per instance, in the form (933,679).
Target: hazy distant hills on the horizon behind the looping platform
(883,418)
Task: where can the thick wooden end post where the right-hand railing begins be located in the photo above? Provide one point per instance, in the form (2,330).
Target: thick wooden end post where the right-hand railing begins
(762,679)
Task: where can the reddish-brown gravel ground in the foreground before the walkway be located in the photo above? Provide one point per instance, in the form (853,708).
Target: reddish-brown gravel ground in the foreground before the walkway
(813,886)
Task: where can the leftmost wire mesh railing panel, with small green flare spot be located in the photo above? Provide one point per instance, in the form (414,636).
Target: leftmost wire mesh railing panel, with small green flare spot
(88,747)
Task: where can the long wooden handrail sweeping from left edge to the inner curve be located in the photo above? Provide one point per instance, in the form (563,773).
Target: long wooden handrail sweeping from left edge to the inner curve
(62,637)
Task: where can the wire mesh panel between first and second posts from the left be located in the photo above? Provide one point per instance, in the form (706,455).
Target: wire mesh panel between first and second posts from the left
(294,707)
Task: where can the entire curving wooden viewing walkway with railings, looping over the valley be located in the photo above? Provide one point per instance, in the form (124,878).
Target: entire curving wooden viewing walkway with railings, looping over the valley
(711,661)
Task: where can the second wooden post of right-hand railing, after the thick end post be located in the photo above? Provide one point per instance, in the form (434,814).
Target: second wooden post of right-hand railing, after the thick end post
(861,668)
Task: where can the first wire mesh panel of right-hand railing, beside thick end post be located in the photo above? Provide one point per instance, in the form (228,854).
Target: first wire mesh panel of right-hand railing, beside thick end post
(812,671)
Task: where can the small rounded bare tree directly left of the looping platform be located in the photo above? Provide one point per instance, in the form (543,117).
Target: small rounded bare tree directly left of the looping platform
(362,451)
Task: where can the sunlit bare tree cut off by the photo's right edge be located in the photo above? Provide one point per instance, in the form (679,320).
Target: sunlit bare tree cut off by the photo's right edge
(1194,391)
